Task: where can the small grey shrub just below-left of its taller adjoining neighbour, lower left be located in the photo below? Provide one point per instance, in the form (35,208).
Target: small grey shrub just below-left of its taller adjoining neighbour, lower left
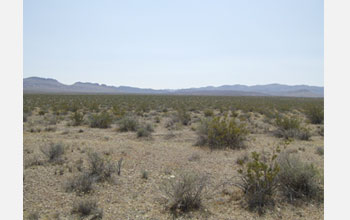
(81,183)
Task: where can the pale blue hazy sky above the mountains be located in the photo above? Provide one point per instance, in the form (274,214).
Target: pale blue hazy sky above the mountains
(172,44)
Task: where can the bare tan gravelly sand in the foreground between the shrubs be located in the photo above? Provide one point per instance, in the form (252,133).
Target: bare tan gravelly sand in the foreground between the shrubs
(163,157)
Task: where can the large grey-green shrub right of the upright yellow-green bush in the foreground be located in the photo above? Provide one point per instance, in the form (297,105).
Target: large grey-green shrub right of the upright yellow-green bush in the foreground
(298,180)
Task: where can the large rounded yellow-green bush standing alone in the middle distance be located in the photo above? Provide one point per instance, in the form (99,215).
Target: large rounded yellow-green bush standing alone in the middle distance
(221,132)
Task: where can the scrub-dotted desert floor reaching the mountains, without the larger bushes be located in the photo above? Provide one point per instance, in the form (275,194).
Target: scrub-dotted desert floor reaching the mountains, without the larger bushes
(144,162)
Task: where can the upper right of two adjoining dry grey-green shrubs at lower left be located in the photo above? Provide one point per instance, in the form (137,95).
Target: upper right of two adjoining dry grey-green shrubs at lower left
(100,169)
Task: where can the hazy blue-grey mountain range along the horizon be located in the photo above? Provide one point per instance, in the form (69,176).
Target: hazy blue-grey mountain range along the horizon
(42,85)
